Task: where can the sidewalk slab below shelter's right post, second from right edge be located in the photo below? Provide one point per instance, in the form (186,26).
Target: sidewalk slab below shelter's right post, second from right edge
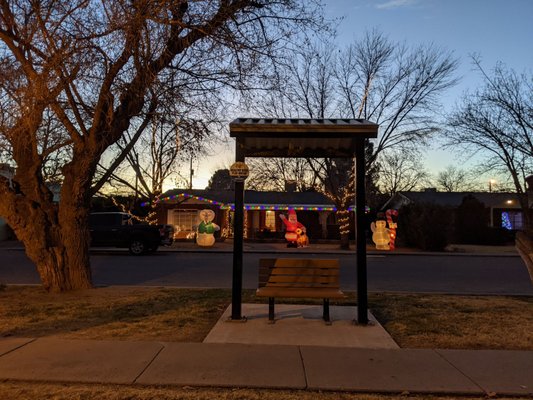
(413,370)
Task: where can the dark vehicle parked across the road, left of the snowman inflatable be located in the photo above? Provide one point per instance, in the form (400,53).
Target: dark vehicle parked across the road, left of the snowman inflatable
(117,229)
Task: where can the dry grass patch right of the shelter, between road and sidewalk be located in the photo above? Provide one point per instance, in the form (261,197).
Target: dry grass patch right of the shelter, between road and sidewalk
(456,322)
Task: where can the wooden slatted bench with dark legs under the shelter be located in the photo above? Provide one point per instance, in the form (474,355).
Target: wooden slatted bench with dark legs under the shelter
(290,277)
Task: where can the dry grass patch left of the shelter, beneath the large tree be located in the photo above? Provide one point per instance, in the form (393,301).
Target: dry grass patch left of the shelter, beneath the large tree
(178,315)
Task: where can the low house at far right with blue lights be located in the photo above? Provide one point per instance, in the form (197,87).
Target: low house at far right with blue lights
(504,208)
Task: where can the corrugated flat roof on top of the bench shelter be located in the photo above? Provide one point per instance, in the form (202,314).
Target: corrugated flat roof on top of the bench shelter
(296,137)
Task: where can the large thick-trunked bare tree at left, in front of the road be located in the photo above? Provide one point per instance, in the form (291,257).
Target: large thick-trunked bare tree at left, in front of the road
(93,65)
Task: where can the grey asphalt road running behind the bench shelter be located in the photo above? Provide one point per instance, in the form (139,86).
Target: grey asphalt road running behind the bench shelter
(461,274)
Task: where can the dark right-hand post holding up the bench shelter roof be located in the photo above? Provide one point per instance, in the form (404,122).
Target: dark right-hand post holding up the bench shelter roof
(360,203)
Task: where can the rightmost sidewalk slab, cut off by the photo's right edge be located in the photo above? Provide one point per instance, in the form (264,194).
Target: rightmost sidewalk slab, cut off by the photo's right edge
(498,371)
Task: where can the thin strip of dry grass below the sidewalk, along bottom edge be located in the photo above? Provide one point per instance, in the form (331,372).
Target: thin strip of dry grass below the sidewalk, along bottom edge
(35,391)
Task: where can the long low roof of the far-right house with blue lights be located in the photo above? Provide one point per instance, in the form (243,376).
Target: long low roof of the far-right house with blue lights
(453,199)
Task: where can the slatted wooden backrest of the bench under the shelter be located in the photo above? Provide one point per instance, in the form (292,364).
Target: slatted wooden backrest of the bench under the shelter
(298,273)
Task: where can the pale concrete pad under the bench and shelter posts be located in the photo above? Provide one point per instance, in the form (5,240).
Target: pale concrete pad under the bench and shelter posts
(300,325)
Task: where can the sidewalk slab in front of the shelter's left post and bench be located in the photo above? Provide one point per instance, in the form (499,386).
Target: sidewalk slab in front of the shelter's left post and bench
(200,364)
